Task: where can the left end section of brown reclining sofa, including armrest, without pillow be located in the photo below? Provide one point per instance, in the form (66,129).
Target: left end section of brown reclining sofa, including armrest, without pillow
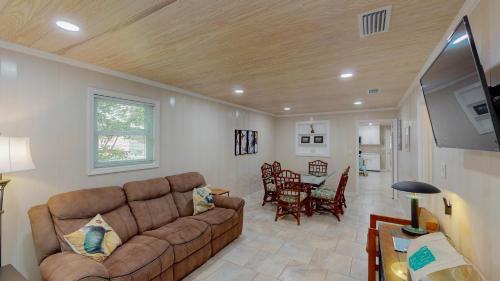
(140,257)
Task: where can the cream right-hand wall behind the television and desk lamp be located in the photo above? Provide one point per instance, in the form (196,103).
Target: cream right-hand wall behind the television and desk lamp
(472,178)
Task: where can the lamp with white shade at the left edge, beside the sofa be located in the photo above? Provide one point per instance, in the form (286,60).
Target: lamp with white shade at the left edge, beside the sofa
(15,156)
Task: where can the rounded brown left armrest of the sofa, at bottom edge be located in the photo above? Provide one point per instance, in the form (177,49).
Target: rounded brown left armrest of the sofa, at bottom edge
(68,266)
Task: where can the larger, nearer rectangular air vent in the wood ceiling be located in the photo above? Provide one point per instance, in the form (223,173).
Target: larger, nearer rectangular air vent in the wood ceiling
(375,21)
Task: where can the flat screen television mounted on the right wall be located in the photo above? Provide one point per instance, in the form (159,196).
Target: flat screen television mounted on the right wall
(458,99)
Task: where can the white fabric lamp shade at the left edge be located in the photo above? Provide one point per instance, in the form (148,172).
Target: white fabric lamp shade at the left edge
(15,155)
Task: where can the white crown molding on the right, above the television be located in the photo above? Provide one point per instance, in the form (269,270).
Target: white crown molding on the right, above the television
(467,8)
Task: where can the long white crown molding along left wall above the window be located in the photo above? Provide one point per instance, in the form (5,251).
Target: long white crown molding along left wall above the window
(60,59)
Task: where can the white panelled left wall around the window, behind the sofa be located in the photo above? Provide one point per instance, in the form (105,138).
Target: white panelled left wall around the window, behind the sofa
(46,101)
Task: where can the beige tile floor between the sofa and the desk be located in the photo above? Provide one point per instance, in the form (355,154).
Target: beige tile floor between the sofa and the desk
(320,249)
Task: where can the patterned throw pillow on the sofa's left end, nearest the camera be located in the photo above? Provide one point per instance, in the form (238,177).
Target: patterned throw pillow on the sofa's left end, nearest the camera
(96,240)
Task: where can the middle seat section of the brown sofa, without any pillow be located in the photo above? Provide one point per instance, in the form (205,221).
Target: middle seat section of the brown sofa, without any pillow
(189,238)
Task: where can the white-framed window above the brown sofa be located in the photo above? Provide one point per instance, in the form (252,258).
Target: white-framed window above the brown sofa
(123,132)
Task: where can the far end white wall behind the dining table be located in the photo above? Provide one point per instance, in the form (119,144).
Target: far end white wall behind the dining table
(343,143)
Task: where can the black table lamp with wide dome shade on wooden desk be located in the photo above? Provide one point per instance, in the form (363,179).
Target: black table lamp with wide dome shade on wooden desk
(415,187)
